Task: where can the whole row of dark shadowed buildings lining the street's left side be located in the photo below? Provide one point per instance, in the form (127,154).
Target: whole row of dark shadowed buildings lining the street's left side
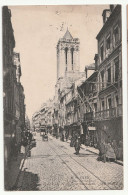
(12,90)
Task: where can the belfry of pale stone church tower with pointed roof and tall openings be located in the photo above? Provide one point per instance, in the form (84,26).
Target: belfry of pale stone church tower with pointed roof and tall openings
(67,56)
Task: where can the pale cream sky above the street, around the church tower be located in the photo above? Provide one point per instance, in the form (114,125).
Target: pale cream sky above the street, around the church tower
(37,30)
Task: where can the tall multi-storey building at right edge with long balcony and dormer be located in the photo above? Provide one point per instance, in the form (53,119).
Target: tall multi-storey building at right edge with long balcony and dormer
(108,118)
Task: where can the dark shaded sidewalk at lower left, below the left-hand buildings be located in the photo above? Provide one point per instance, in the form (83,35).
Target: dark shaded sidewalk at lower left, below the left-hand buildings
(11,174)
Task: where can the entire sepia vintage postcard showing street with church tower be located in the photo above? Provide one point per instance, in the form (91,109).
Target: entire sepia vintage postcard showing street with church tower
(62,97)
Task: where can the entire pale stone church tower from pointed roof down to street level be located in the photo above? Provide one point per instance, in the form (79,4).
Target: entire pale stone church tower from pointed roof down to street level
(68,71)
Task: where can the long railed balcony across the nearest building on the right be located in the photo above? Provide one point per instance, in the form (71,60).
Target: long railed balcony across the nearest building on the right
(109,113)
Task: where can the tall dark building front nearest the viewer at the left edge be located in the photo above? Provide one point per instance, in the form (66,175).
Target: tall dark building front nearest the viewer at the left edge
(8,82)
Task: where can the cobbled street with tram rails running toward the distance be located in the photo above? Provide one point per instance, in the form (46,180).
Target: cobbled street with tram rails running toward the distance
(54,166)
